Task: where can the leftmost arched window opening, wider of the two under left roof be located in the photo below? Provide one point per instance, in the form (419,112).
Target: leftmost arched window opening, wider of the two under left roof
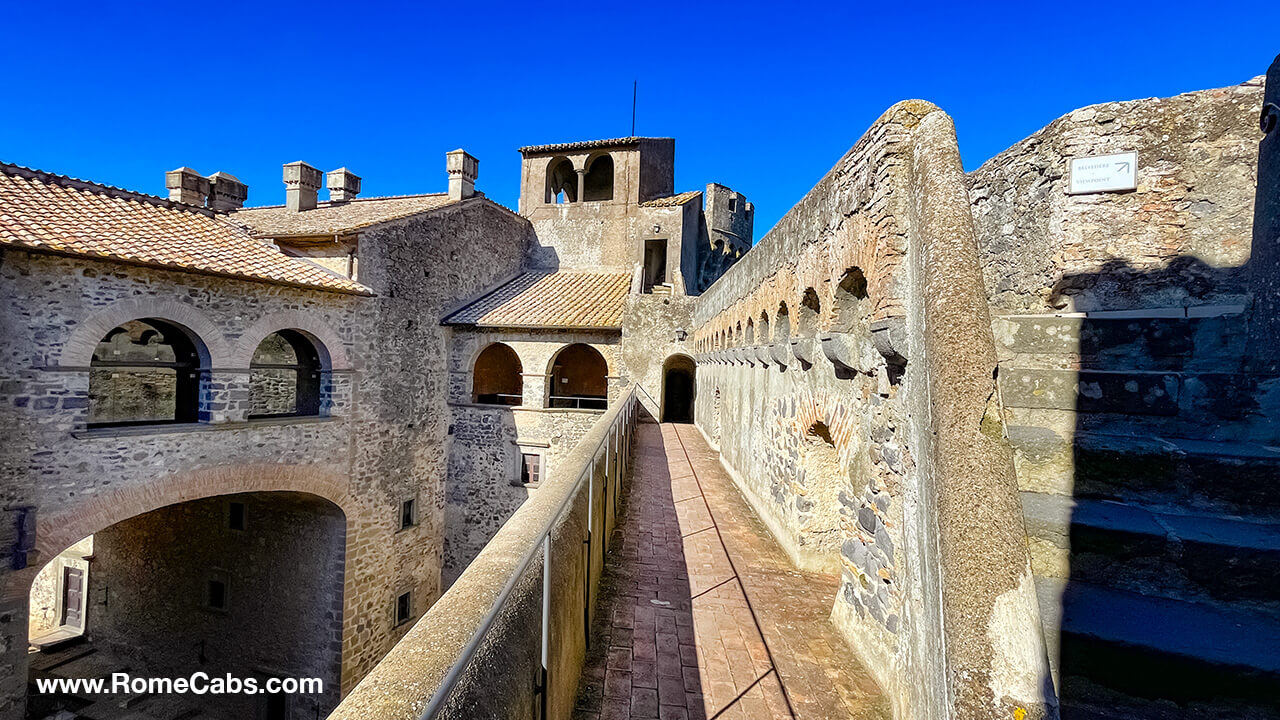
(143,373)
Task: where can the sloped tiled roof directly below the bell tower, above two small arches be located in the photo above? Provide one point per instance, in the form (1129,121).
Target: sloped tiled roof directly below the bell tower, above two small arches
(551,300)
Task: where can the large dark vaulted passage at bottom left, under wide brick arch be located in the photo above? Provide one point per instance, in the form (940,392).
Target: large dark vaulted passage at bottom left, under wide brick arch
(249,585)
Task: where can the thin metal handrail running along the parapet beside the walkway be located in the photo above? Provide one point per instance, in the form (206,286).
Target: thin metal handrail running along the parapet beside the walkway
(627,412)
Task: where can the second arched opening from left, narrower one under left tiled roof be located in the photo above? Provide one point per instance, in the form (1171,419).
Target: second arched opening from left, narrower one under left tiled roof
(285,377)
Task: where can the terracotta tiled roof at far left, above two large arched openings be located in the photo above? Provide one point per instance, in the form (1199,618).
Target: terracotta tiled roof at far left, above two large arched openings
(52,213)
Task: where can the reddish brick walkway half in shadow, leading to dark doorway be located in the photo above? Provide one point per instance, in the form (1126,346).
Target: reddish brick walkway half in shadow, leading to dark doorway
(702,616)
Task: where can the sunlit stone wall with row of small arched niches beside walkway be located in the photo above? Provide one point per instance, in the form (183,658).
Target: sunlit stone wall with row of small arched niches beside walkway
(876,270)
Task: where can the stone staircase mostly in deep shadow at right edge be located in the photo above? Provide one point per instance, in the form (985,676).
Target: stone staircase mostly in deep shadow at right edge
(1151,495)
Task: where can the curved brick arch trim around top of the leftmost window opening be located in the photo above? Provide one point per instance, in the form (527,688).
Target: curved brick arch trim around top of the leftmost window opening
(79,349)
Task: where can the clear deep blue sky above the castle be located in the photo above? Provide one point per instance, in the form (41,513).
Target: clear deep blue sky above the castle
(764,98)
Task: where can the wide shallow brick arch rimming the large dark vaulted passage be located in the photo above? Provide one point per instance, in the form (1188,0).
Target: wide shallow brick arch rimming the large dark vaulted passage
(61,530)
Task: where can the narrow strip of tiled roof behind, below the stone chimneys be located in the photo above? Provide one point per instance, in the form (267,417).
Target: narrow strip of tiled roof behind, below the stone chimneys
(335,218)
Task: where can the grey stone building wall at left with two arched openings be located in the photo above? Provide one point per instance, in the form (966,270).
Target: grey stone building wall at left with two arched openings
(383,441)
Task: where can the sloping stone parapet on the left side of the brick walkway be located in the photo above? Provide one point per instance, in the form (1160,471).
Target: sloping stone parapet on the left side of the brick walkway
(403,686)
